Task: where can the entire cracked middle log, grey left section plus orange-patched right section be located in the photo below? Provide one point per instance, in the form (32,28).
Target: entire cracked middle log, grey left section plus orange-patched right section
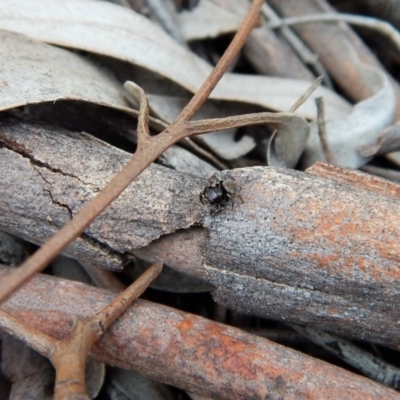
(294,246)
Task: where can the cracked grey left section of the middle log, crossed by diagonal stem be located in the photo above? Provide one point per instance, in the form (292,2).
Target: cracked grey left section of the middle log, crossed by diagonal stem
(55,172)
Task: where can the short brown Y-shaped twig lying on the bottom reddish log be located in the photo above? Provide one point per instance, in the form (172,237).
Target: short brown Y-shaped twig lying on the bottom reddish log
(70,354)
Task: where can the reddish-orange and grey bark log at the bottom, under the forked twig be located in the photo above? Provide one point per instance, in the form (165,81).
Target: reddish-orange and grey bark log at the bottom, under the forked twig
(188,351)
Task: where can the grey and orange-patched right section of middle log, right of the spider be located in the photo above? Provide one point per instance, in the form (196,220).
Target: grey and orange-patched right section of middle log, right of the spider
(302,248)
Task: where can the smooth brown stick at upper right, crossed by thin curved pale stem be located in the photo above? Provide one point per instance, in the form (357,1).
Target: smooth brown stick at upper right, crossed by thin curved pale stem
(337,54)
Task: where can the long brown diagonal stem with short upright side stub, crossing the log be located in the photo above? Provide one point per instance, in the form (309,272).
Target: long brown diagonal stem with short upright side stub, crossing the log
(149,148)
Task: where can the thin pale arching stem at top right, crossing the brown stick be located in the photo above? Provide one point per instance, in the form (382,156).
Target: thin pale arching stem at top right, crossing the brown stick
(383,27)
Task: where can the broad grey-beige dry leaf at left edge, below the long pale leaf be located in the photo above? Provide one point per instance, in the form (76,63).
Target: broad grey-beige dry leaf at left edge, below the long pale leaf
(34,72)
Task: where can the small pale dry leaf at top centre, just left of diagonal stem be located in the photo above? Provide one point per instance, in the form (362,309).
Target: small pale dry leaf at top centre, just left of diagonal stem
(208,20)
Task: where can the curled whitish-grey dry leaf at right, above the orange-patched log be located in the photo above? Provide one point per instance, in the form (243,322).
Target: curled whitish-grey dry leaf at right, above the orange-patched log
(361,128)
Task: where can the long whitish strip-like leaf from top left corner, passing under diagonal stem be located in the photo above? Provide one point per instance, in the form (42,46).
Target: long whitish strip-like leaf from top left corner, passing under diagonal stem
(104,28)
